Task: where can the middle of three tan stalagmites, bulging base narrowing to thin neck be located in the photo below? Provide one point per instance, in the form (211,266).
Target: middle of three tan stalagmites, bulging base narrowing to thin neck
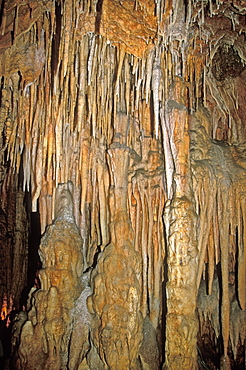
(117,295)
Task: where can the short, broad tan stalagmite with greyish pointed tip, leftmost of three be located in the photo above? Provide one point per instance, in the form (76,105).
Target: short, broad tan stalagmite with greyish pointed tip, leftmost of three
(46,334)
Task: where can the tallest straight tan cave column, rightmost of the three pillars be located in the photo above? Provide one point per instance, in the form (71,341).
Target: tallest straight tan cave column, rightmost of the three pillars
(180,222)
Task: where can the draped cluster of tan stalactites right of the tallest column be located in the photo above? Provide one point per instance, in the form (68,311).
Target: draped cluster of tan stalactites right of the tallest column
(221,213)
